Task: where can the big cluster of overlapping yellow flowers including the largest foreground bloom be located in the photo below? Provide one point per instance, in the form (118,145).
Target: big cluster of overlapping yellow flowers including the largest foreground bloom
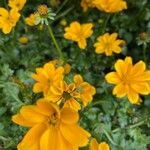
(53,121)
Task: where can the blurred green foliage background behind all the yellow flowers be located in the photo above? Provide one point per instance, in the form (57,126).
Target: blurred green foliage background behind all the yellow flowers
(123,125)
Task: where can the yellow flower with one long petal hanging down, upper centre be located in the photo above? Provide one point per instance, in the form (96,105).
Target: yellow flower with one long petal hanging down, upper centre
(79,33)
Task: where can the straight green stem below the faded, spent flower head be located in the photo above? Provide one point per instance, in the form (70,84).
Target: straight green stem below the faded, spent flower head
(55,43)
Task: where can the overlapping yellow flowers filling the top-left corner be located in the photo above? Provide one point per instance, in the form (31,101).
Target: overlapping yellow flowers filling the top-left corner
(10,17)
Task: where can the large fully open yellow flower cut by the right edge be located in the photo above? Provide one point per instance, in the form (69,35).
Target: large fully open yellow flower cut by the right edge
(131,80)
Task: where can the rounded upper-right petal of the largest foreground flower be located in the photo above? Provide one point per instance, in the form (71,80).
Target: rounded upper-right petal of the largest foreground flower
(69,116)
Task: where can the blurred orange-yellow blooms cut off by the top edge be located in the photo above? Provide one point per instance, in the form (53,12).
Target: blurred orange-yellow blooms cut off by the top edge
(108,6)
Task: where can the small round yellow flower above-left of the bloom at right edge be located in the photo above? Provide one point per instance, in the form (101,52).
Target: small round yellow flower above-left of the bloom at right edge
(108,43)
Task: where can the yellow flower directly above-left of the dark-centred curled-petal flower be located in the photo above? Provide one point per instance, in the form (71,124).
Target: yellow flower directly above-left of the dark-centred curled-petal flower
(46,76)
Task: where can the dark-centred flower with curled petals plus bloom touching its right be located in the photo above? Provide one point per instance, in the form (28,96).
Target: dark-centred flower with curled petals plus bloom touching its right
(71,94)
